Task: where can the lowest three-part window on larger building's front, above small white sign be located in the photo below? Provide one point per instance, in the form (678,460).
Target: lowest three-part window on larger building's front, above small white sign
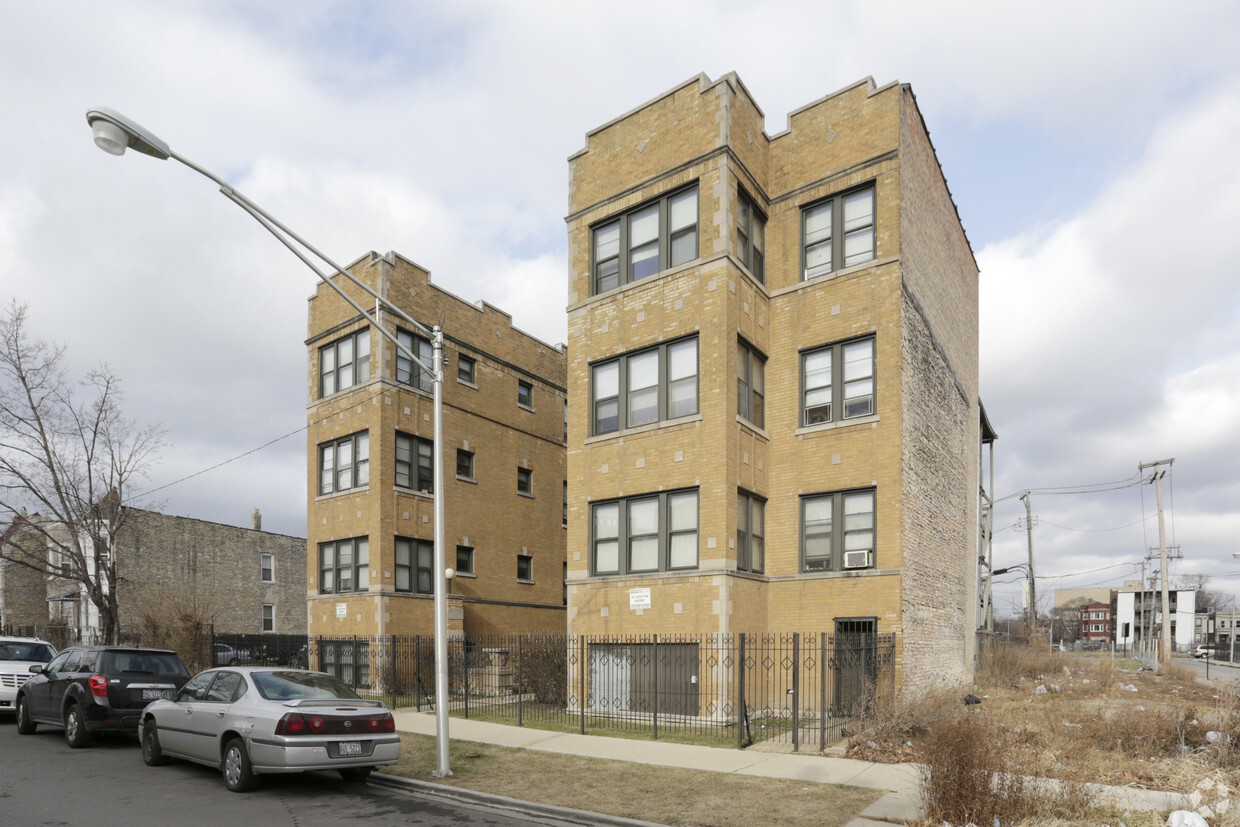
(650,534)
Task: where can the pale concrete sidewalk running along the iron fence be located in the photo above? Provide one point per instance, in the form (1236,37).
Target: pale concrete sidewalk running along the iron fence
(901,804)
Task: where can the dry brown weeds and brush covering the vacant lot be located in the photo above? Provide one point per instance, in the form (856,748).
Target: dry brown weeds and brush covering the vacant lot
(1069,717)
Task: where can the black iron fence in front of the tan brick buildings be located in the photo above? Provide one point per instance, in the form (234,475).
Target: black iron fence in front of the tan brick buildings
(798,690)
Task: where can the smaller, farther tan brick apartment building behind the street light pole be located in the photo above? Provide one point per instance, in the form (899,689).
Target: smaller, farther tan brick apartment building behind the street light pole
(371,510)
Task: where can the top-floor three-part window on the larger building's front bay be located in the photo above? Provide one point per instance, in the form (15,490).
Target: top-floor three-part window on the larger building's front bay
(654,237)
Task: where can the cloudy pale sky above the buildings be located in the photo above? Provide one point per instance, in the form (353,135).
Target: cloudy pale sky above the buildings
(1089,148)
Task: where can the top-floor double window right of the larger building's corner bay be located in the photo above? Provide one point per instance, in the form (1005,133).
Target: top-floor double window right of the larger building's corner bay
(839,232)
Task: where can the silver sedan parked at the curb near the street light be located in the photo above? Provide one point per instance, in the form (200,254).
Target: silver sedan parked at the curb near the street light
(252,721)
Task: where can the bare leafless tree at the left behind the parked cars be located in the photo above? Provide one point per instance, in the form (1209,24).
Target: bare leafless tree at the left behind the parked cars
(68,463)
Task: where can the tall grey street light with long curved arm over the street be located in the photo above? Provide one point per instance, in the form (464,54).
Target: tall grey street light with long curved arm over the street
(115,135)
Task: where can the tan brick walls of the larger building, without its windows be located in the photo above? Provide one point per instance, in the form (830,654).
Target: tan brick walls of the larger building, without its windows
(917,297)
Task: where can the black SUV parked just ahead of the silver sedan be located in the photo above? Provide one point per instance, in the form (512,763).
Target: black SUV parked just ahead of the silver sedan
(97,689)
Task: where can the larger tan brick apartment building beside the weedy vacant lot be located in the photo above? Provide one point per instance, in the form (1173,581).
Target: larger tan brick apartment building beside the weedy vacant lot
(773,376)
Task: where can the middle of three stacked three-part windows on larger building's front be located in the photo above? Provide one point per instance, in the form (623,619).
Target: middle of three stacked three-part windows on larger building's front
(644,387)
